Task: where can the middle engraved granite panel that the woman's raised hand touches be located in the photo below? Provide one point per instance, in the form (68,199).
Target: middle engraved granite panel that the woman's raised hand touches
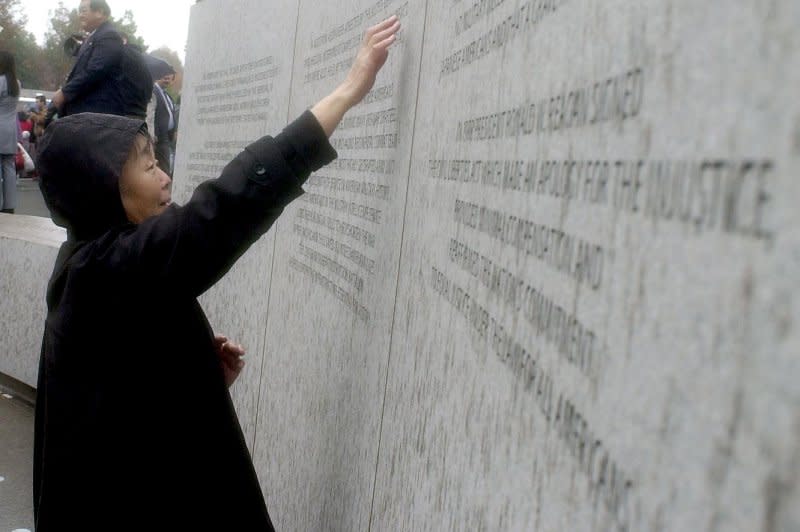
(334,279)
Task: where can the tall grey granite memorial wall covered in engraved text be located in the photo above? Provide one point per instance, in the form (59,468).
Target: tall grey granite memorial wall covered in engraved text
(550,283)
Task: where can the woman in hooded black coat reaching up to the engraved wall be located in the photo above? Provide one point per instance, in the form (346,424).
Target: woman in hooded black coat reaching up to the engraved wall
(135,428)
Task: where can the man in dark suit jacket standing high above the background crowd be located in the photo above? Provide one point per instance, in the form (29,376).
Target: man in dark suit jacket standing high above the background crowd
(94,83)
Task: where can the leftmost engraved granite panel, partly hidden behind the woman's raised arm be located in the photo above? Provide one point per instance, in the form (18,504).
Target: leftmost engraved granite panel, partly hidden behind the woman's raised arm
(236,90)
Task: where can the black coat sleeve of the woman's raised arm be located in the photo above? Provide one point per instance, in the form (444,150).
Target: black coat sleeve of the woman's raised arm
(189,248)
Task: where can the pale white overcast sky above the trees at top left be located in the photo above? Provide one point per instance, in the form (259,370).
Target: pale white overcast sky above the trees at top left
(160,22)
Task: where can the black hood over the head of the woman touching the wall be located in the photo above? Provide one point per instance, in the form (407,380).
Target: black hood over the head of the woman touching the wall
(80,160)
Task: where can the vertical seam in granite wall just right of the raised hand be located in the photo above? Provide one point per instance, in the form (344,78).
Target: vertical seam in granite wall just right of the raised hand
(399,265)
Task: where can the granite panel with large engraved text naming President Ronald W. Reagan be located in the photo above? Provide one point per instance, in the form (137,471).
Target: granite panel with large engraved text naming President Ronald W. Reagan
(597,305)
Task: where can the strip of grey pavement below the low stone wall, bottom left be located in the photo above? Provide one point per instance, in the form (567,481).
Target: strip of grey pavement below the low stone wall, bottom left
(16,459)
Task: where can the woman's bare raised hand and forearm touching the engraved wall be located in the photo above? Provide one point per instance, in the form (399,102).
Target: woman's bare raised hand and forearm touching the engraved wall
(369,60)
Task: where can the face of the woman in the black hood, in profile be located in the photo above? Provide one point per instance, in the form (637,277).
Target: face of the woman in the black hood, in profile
(144,187)
